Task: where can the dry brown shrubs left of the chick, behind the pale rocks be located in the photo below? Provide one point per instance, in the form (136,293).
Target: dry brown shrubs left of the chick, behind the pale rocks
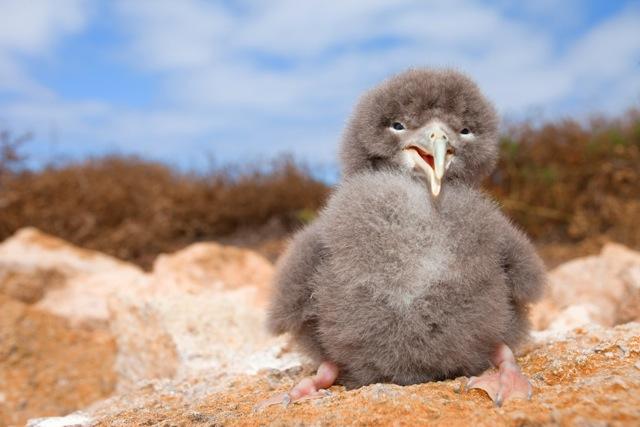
(135,209)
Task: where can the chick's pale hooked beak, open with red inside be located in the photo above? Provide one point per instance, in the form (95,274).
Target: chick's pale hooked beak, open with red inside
(433,155)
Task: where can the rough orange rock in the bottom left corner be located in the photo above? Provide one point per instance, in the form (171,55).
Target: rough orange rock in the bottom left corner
(48,367)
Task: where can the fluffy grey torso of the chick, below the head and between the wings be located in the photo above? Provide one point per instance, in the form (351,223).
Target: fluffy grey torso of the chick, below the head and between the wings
(407,289)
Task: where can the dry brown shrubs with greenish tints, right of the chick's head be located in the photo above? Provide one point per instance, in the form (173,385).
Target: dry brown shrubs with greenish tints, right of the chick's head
(567,182)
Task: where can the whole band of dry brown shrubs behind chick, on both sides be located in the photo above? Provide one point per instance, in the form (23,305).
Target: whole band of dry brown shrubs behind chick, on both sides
(563,182)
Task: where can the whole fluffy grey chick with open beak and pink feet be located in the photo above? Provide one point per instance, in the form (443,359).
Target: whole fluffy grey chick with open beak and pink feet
(410,274)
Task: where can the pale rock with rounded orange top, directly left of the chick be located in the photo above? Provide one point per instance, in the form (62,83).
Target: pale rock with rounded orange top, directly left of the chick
(204,310)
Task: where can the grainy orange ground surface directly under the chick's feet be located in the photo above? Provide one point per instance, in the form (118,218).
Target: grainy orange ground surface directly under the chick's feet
(590,377)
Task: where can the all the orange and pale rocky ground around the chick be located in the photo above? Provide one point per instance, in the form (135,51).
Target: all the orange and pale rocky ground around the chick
(86,339)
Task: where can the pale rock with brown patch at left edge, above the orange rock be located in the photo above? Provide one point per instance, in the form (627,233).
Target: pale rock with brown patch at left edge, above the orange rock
(65,280)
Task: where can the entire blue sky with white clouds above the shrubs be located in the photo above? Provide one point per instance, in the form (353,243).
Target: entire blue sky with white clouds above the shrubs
(186,80)
